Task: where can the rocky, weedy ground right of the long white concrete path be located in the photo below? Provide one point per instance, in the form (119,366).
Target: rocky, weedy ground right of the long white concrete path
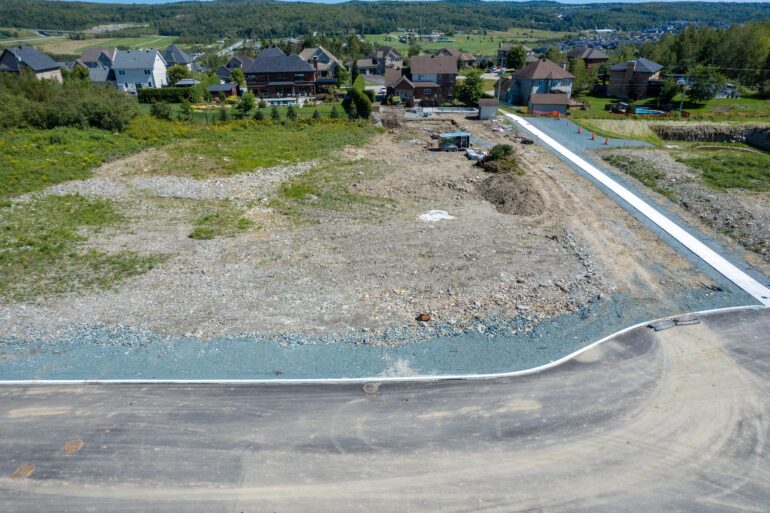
(741,217)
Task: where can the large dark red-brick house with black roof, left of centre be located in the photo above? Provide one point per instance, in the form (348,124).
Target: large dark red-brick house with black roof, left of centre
(275,74)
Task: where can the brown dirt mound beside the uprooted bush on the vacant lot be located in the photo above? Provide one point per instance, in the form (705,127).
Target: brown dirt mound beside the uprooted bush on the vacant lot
(512,194)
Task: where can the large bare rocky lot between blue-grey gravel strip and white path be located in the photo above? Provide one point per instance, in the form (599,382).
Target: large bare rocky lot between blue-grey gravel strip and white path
(522,248)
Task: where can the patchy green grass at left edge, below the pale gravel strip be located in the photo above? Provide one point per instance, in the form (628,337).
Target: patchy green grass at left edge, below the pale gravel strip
(42,253)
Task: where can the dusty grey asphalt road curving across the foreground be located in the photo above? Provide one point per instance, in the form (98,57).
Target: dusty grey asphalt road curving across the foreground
(675,420)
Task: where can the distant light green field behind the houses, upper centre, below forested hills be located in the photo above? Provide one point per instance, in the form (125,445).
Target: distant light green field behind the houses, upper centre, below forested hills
(476,44)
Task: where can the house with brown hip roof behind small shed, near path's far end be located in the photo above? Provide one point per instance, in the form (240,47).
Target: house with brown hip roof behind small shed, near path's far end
(541,77)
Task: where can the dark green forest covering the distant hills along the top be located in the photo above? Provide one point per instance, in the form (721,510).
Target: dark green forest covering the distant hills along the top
(201,22)
